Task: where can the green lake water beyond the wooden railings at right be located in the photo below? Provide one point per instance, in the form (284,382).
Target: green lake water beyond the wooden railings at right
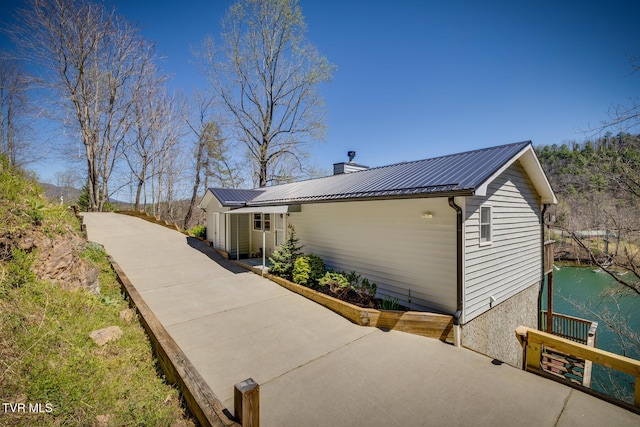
(582,292)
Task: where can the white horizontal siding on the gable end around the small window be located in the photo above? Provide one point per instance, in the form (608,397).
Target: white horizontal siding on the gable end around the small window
(511,263)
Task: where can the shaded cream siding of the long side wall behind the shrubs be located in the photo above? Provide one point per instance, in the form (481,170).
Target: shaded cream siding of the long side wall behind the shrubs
(390,243)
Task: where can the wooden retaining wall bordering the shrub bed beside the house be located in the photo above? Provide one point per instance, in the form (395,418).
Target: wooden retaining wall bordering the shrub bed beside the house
(431,325)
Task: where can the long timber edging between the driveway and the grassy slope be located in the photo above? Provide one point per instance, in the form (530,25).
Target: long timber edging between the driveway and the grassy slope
(206,407)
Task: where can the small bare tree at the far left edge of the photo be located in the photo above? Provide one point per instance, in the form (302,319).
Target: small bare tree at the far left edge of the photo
(14,110)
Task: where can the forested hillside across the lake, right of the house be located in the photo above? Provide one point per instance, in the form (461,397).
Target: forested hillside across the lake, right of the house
(598,187)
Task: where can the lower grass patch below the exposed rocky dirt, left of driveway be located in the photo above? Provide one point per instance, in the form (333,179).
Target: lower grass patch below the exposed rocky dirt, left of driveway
(48,357)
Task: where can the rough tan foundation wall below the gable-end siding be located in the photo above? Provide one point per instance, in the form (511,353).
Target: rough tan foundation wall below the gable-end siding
(493,333)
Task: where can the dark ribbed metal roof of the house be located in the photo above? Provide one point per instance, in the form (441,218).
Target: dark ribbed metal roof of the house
(456,174)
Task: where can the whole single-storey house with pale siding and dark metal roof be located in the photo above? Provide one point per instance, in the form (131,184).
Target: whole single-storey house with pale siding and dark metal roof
(459,234)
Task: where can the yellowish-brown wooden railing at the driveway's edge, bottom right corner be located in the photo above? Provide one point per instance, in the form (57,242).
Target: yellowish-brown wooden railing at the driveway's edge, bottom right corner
(534,342)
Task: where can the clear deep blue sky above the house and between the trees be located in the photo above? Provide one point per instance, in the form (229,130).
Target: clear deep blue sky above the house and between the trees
(417,79)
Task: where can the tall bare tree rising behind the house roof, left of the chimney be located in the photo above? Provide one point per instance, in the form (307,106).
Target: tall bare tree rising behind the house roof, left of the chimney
(266,75)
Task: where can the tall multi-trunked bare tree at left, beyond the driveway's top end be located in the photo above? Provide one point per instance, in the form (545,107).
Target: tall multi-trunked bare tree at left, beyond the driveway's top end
(95,62)
